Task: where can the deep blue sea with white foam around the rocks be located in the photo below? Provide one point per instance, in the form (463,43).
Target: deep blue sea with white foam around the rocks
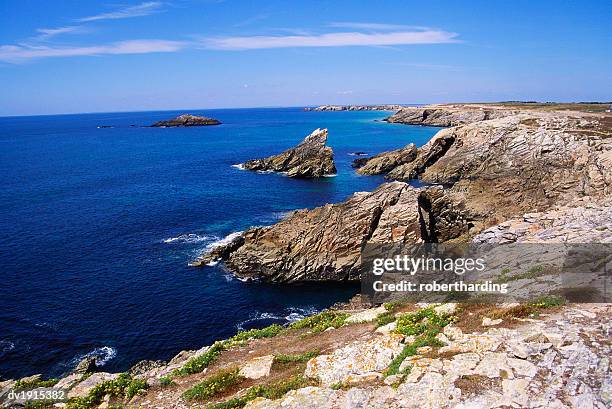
(98,226)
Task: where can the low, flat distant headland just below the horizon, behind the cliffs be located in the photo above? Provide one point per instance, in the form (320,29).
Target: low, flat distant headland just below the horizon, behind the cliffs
(447,115)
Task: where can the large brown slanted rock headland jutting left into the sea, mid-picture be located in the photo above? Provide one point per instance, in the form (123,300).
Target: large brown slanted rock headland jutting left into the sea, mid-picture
(325,243)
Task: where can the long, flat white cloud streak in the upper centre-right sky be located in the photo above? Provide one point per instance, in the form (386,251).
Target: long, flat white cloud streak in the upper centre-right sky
(332,40)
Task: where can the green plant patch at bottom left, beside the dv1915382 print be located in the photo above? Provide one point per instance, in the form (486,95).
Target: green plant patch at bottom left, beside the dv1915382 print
(125,386)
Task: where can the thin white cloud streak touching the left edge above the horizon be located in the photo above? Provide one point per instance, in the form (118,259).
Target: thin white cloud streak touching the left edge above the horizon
(20,53)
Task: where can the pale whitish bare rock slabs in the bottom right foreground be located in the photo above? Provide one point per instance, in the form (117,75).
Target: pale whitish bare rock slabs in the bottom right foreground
(559,361)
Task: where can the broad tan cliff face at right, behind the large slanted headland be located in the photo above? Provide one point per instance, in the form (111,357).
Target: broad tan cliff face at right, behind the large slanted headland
(514,164)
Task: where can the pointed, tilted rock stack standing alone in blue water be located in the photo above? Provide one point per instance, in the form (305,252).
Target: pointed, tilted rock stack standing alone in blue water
(310,159)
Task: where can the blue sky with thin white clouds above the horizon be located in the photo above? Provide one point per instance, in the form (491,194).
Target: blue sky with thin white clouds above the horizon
(122,55)
